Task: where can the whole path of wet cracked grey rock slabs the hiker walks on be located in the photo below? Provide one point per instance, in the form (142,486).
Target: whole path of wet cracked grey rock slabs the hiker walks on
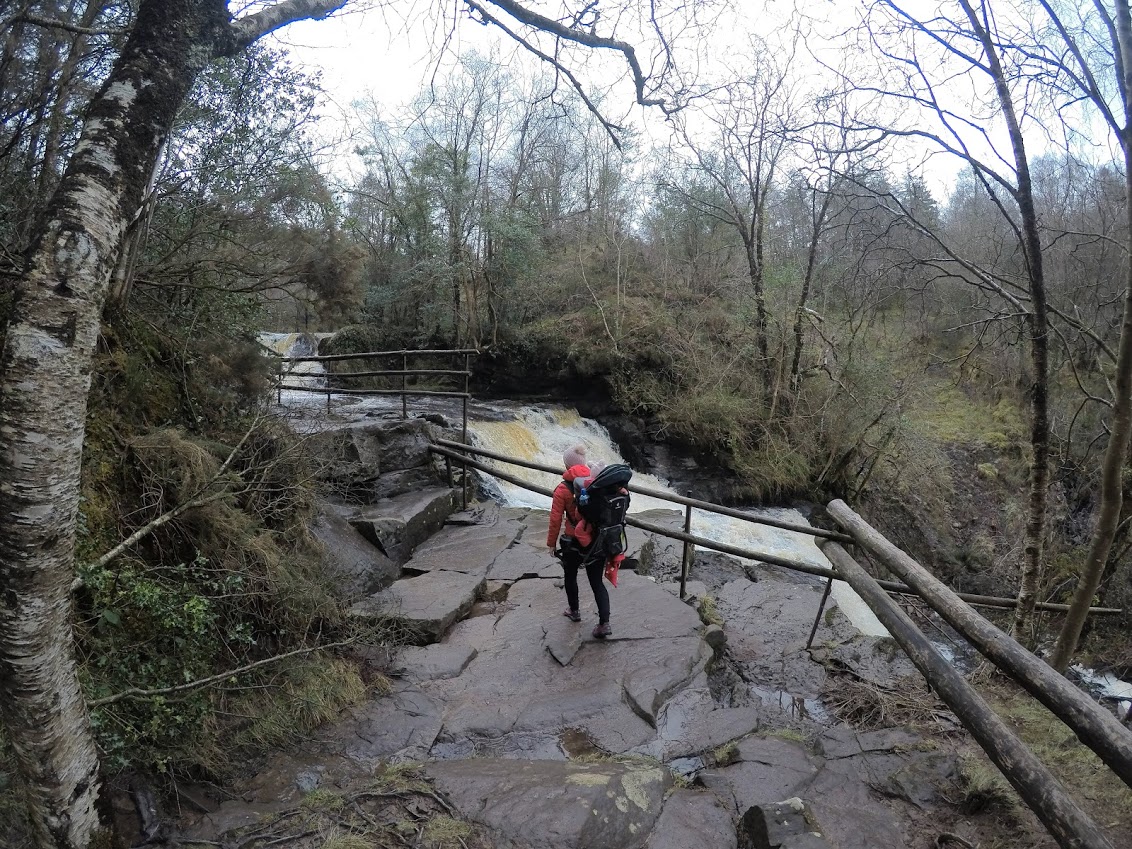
(671,734)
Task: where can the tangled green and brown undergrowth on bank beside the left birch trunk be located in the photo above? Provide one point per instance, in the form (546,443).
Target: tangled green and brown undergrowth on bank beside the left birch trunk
(235,580)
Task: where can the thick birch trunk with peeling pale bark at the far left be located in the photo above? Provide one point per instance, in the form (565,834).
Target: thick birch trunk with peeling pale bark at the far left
(45,380)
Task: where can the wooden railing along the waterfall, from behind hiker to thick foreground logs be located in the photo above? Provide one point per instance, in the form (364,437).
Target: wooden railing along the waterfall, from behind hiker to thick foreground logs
(1036,785)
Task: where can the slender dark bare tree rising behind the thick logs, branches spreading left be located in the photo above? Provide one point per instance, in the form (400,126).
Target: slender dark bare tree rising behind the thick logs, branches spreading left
(923,54)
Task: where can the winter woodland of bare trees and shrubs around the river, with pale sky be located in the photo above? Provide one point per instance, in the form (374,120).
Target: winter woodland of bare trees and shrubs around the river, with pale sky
(885,261)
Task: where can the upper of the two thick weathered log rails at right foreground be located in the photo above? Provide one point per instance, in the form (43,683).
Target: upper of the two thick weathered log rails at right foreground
(1095,727)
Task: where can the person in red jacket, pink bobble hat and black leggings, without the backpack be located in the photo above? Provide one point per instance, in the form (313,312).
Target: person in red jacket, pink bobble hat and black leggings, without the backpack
(573,548)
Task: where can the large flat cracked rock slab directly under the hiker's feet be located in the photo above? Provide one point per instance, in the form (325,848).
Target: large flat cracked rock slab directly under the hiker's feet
(516,684)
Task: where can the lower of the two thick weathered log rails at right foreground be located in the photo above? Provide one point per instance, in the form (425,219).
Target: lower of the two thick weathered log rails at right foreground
(1070,827)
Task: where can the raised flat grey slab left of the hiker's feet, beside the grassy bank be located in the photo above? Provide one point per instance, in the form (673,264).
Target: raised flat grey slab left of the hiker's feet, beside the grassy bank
(424,607)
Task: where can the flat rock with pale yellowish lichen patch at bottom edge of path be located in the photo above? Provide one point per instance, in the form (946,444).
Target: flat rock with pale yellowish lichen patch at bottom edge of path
(558,805)
